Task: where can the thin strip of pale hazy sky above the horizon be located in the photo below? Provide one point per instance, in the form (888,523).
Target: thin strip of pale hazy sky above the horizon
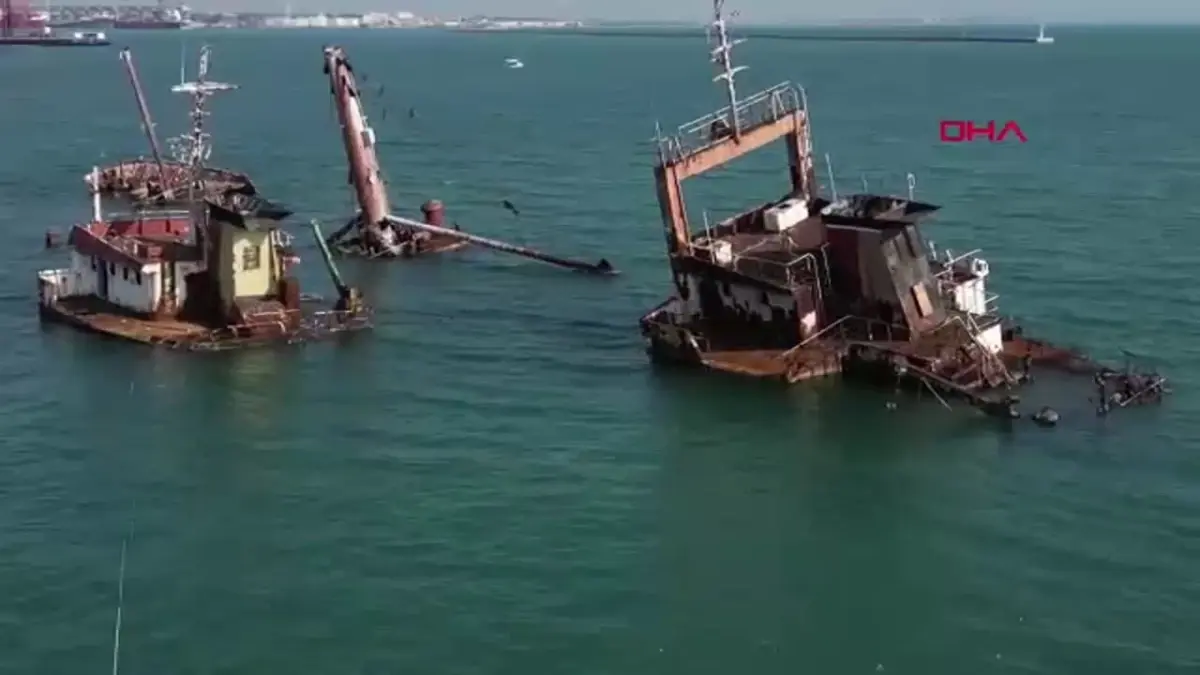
(754,11)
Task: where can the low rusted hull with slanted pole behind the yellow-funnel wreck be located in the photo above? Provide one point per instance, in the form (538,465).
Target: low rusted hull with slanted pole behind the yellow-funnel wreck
(166,177)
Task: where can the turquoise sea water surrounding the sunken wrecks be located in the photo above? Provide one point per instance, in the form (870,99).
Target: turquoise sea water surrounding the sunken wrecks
(496,481)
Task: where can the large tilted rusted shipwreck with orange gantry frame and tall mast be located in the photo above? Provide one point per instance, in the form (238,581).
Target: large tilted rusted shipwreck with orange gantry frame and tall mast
(808,286)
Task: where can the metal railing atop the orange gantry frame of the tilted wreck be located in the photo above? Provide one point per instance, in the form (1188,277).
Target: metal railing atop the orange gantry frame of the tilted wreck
(765,107)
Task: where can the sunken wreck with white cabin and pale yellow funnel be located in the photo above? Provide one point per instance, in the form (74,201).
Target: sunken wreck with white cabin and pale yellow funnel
(213,277)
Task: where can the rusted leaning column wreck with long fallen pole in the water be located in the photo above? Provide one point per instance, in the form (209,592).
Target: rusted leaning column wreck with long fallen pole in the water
(375,232)
